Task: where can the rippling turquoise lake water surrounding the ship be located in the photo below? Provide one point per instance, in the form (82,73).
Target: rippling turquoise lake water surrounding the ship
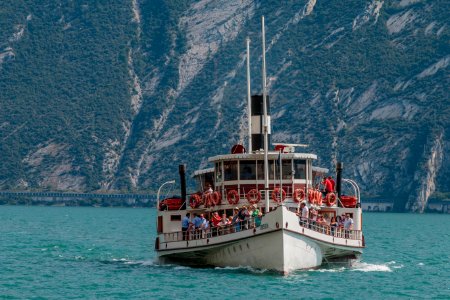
(71,252)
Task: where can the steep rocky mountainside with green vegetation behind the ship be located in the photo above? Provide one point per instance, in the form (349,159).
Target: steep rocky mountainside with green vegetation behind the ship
(114,94)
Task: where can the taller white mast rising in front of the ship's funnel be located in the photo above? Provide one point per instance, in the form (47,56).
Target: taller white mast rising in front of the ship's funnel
(265,121)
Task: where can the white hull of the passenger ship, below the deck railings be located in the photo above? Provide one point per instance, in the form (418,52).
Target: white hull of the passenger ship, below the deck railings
(280,244)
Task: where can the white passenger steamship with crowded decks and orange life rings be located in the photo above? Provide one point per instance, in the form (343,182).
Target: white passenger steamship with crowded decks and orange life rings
(259,194)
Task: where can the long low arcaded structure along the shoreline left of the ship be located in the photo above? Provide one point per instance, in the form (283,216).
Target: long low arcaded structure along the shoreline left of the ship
(71,198)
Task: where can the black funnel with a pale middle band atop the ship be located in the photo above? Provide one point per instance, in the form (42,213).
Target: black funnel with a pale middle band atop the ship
(257,112)
